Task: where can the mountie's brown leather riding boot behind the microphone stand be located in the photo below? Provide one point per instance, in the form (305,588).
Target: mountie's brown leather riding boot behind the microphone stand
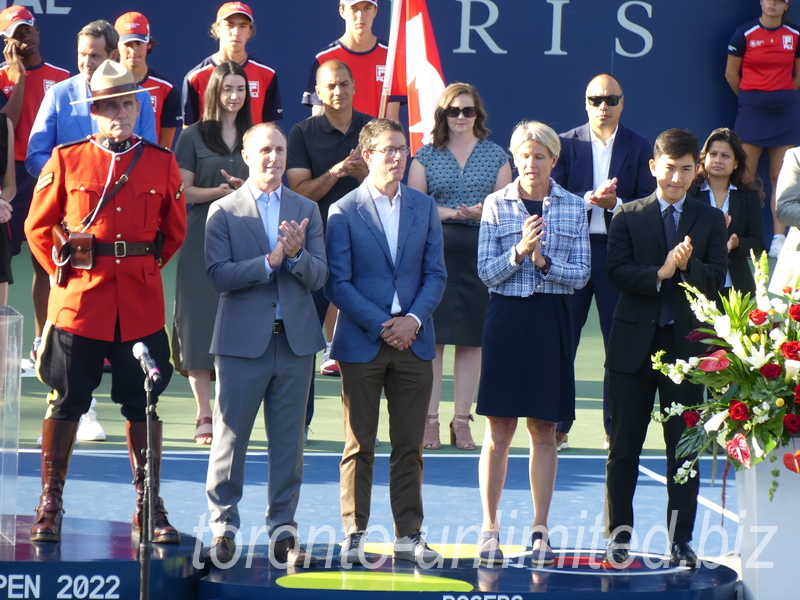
(163,532)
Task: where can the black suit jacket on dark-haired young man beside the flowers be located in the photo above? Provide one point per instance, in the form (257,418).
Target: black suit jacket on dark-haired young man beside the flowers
(636,251)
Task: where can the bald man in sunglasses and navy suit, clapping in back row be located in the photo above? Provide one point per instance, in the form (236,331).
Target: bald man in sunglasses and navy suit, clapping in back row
(606,164)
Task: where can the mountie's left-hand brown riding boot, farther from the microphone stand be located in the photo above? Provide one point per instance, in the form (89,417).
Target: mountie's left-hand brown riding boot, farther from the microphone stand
(58,438)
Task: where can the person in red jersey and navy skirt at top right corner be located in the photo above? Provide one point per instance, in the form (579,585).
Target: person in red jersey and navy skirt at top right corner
(763,69)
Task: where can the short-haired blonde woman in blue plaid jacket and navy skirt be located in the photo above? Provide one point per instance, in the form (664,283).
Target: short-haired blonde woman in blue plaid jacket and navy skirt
(533,253)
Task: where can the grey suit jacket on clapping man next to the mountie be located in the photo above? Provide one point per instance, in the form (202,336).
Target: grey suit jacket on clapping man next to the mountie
(236,245)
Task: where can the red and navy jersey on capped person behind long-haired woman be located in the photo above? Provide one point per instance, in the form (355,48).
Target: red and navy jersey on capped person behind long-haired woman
(265,96)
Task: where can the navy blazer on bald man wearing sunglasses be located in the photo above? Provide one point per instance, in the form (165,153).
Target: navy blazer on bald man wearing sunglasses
(630,164)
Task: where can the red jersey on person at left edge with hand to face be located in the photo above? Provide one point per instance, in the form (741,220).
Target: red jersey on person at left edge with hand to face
(37,81)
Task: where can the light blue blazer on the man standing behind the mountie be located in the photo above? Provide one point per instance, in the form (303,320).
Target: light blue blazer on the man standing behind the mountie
(58,122)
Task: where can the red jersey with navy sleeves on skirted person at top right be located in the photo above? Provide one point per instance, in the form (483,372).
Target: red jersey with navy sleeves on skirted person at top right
(768,56)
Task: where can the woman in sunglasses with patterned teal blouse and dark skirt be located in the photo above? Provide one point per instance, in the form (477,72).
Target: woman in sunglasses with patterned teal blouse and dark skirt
(459,169)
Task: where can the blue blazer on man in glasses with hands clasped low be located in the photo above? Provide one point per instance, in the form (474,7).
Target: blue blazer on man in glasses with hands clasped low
(362,277)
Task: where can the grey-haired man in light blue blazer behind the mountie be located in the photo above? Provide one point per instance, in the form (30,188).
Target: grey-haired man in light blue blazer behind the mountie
(60,120)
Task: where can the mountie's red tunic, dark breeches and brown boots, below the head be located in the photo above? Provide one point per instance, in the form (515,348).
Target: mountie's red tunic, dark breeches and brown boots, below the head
(102,311)
